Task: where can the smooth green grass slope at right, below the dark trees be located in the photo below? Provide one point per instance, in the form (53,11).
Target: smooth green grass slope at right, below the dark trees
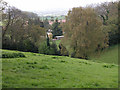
(110,55)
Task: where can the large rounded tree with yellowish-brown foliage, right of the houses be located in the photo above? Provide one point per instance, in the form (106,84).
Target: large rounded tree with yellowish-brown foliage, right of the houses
(84,35)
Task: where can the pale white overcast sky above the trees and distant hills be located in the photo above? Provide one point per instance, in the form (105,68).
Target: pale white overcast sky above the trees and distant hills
(44,5)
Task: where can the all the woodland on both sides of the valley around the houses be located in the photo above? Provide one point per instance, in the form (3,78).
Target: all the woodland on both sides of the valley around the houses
(88,30)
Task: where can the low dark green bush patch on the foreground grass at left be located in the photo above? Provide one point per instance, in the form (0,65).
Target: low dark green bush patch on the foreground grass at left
(12,55)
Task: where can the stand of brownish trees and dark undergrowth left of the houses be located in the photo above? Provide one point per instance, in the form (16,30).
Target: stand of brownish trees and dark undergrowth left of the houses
(21,30)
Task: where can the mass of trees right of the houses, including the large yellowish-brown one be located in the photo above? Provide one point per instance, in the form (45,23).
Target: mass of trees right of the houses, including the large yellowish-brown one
(90,30)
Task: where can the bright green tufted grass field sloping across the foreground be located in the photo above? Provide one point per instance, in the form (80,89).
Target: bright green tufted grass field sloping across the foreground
(47,71)
